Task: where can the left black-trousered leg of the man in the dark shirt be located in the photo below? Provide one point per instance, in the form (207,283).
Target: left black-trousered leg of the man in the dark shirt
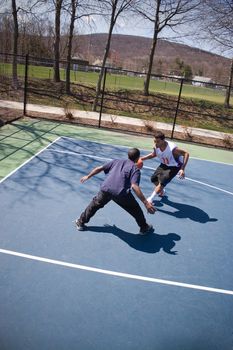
(98,202)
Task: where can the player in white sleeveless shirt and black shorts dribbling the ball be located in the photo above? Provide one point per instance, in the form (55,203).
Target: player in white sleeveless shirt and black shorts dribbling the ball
(173,161)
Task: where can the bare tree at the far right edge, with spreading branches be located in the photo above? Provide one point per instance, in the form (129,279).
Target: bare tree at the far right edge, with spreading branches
(217,27)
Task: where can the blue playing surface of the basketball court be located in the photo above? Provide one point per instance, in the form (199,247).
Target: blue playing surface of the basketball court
(109,287)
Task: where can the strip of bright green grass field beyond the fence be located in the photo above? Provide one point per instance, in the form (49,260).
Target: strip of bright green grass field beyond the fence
(124,82)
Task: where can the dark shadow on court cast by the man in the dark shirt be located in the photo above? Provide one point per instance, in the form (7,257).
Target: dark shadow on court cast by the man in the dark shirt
(151,243)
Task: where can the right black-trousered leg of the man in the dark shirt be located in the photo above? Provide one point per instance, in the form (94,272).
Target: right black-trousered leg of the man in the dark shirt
(130,204)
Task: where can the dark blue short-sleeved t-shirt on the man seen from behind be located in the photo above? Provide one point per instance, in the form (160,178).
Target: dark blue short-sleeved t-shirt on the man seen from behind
(121,174)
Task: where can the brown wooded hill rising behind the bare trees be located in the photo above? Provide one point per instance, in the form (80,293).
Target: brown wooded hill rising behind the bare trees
(131,52)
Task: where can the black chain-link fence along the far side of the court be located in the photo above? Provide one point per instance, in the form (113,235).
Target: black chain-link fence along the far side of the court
(173,100)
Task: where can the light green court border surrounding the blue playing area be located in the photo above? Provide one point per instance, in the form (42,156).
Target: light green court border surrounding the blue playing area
(22,139)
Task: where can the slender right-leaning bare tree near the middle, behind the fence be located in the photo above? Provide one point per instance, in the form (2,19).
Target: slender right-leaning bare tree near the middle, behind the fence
(111,10)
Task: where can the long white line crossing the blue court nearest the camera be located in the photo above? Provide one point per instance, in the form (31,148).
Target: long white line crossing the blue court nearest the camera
(117,274)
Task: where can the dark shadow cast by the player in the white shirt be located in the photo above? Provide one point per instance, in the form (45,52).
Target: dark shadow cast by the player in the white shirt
(184,211)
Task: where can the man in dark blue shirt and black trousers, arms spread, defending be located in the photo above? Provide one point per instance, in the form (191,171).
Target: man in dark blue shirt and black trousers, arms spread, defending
(122,176)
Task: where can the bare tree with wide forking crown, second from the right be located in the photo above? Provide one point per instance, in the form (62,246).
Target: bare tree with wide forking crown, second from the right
(163,14)
